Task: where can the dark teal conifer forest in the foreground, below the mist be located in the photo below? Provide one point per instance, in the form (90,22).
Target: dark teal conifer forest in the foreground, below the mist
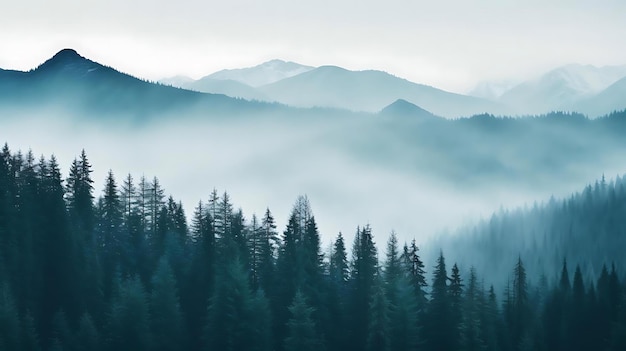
(117,266)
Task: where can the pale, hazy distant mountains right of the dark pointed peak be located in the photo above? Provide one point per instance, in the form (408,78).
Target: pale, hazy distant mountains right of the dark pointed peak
(592,90)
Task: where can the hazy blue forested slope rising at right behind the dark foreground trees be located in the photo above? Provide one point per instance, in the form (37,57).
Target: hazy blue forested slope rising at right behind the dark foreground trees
(588,228)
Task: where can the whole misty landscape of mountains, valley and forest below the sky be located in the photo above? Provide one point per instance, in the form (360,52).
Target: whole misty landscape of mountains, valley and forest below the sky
(289,207)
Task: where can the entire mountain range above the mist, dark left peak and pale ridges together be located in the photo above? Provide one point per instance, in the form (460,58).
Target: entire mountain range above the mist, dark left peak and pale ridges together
(70,79)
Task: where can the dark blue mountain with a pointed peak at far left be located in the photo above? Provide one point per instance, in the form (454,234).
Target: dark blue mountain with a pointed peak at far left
(70,81)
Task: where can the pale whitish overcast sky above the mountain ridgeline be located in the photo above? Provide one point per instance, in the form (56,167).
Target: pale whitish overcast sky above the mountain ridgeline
(451,44)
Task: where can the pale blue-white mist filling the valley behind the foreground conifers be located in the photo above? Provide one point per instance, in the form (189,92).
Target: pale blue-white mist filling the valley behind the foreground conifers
(356,169)
